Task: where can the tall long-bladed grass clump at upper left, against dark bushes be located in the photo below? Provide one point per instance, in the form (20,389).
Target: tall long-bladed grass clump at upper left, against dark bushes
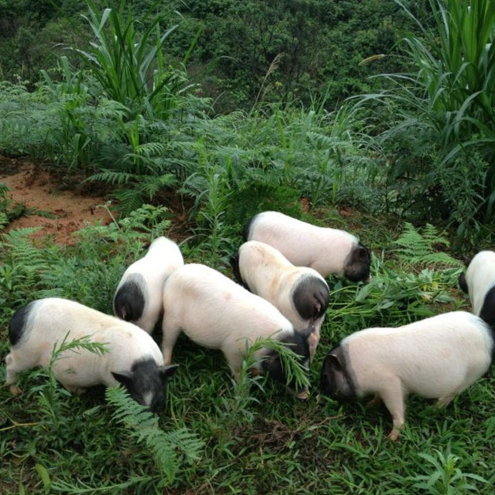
(131,66)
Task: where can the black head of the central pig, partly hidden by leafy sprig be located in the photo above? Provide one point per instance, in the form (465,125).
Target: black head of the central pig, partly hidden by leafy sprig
(272,363)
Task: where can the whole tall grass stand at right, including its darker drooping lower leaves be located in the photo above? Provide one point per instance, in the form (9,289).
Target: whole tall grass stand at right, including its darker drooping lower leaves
(435,126)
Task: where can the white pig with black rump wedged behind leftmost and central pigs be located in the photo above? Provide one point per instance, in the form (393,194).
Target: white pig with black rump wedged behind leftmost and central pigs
(139,295)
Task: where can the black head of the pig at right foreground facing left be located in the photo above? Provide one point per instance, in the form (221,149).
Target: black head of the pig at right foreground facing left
(335,378)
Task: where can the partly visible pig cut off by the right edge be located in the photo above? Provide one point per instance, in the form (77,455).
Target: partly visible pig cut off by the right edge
(479,283)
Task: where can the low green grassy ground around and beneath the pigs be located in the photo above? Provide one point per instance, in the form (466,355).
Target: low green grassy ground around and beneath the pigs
(257,438)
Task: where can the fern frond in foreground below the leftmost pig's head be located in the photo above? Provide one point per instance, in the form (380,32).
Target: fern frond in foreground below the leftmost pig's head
(169,450)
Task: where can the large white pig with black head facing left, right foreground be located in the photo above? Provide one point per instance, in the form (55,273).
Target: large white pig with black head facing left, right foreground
(436,358)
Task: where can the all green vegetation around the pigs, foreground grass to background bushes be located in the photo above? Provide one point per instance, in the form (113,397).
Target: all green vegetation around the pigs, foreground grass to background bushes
(372,116)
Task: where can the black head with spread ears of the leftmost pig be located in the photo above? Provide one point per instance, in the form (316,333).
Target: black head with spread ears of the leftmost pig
(146,383)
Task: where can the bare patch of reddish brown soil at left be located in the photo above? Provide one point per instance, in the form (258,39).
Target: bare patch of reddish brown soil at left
(57,212)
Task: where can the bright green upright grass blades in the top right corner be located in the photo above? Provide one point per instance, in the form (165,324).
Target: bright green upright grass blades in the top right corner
(456,68)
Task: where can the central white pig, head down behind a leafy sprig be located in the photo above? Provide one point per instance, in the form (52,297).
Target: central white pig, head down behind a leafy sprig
(217,313)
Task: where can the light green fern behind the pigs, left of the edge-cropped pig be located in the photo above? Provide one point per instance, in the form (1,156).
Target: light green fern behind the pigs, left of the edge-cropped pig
(420,248)
